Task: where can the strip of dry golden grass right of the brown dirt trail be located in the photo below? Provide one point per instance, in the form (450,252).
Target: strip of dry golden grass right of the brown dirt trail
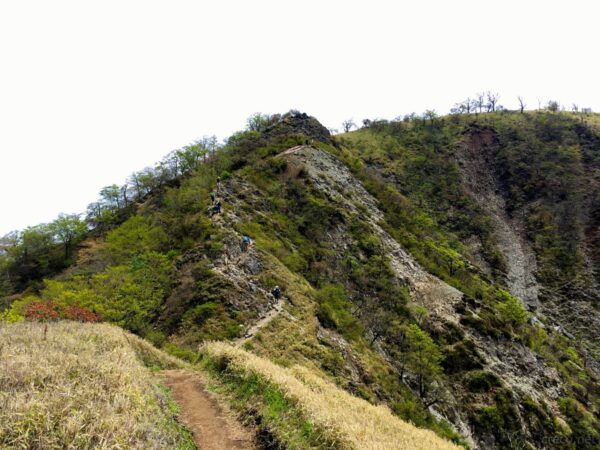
(353,421)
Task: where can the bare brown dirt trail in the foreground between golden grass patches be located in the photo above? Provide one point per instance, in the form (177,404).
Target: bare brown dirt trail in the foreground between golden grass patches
(212,428)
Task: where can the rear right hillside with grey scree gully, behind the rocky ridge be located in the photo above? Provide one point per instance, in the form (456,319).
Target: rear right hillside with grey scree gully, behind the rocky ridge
(519,191)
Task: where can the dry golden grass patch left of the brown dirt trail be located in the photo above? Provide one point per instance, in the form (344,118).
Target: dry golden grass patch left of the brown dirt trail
(83,386)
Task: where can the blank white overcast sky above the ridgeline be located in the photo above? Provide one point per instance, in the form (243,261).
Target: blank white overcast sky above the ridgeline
(92,91)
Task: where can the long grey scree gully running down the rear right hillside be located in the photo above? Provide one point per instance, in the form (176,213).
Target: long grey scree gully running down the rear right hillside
(572,314)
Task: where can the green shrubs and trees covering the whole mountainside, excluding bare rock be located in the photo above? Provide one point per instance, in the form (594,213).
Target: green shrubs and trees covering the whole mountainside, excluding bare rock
(145,232)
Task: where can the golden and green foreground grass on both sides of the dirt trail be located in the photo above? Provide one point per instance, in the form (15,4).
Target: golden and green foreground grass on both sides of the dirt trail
(89,386)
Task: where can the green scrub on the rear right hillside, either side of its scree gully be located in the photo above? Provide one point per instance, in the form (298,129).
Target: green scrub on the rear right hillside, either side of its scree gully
(543,160)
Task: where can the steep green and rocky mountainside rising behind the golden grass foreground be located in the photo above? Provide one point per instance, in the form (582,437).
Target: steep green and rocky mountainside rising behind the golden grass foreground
(443,267)
